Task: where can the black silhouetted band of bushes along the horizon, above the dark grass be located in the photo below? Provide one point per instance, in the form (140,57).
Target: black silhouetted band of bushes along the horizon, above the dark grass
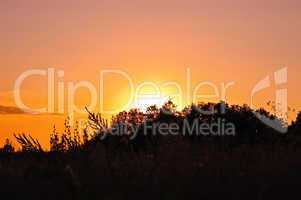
(135,128)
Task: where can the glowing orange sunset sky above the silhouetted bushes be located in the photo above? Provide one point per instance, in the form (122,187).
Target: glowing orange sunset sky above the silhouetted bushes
(220,41)
